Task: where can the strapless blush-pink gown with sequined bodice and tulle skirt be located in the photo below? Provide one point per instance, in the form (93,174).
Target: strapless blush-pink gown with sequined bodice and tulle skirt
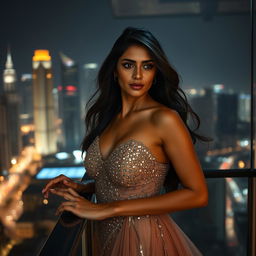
(131,171)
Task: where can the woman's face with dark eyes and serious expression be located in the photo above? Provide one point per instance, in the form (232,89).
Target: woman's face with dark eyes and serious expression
(135,71)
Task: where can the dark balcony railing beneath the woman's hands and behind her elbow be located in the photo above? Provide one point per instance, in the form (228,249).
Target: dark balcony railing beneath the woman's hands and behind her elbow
(71,234)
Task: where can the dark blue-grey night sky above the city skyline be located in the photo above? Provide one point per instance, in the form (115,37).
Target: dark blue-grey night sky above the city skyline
(203,52)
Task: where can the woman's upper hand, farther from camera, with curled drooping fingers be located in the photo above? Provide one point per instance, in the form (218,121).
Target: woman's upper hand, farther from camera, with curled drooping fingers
(61,182)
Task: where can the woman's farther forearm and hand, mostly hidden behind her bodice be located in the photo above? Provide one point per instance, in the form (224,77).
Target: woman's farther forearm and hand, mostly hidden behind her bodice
(63,182)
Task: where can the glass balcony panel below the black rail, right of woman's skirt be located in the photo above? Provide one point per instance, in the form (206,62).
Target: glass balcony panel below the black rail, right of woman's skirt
(221,227)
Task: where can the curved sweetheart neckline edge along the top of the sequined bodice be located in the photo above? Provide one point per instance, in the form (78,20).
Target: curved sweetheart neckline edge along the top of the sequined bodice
(122,144)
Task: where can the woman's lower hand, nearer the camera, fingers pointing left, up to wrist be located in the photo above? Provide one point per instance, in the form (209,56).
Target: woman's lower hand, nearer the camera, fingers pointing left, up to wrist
(78,205)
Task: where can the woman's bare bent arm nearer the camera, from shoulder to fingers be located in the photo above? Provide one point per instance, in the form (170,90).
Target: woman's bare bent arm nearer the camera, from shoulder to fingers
(179,148)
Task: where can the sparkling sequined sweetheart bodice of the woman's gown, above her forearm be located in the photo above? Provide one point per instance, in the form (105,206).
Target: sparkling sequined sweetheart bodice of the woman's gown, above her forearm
(130,171)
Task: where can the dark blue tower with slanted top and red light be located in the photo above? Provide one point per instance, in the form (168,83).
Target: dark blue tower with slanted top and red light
(69,98)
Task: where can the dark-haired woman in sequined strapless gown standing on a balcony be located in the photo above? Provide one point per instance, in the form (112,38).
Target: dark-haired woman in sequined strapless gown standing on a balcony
(136,133)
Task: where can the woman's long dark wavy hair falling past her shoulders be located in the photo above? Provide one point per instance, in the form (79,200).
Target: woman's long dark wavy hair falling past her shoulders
(164,90)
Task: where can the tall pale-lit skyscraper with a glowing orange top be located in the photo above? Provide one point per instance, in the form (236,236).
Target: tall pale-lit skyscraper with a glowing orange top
(44,114)
